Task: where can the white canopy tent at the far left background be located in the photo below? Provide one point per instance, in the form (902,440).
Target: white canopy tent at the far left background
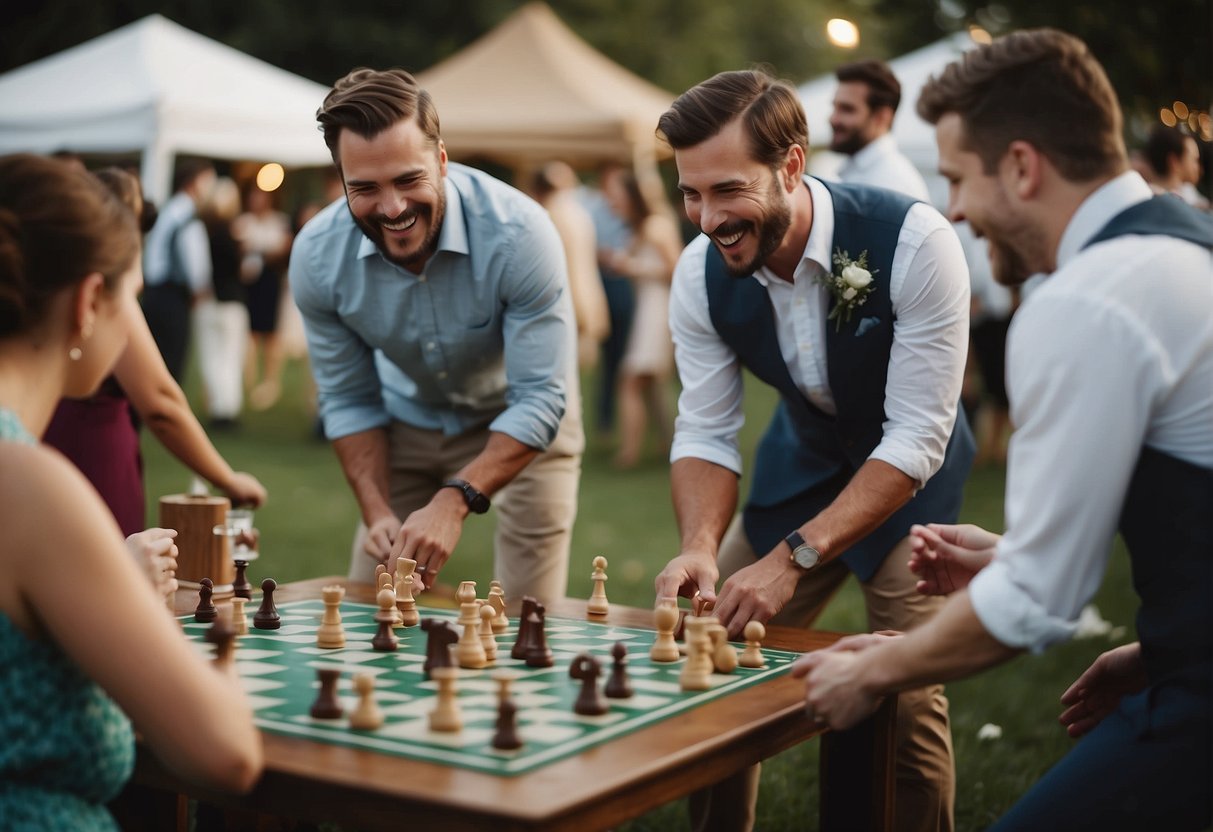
(160,89)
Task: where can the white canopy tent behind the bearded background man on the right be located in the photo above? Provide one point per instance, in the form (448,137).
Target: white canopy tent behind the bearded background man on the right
(915,138)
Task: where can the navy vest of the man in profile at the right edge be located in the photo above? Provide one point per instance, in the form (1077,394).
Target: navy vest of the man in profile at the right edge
(1168,517)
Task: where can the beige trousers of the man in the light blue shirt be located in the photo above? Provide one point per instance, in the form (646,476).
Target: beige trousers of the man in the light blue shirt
(536,512)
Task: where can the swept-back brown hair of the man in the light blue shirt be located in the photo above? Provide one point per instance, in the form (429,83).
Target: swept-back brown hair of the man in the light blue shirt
(371,101)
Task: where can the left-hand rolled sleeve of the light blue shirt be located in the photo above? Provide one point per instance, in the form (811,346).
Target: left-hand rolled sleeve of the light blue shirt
(344,367)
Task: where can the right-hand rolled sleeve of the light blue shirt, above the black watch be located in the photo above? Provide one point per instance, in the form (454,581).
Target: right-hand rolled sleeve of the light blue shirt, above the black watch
(539,334)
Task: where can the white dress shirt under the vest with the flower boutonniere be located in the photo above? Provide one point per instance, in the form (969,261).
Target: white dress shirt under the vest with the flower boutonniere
(930,289)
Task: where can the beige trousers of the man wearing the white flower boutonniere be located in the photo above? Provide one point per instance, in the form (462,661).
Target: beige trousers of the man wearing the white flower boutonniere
(926,777)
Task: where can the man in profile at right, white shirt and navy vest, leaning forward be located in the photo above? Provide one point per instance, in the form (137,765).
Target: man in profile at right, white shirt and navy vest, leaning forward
(1111,375)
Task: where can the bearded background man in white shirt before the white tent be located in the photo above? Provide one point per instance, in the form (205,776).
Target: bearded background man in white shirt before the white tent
(864,107)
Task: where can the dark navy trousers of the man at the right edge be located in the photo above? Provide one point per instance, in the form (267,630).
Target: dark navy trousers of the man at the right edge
(1144,767)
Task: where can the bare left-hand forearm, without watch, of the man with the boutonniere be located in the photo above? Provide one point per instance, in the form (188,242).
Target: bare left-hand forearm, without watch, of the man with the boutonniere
(705,497)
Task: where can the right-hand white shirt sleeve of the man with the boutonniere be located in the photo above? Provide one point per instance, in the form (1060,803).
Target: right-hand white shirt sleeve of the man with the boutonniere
(930,288)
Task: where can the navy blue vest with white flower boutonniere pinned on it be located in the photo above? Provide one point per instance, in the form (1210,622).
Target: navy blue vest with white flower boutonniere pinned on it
(806,458)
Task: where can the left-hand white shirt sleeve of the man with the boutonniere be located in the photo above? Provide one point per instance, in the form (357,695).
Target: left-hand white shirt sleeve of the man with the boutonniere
(710,407)
